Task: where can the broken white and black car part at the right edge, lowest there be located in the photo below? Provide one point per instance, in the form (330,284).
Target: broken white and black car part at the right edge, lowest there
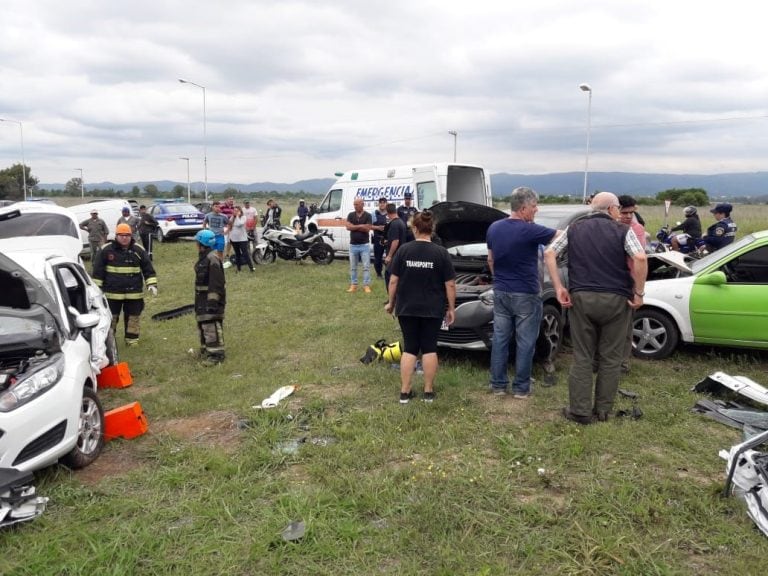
(748,478)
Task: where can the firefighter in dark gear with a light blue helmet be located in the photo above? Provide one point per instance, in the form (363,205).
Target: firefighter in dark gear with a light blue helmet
(210,299)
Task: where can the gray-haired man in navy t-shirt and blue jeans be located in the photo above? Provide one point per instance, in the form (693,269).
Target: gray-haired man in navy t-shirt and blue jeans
(513,258)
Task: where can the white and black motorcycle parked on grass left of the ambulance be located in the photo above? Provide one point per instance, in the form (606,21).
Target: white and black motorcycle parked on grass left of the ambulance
(283,242)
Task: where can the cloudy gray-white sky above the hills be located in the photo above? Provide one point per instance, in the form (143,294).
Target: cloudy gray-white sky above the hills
(302,89)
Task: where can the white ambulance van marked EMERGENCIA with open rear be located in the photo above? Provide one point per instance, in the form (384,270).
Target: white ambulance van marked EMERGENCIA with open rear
(428,183)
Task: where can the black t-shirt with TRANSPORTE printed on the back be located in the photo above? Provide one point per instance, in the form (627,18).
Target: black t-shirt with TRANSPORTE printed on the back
(422,269)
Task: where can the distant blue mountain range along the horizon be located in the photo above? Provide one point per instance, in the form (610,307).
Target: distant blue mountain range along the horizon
(745,184)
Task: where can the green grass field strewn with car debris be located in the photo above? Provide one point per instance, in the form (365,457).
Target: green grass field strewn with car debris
(472,484)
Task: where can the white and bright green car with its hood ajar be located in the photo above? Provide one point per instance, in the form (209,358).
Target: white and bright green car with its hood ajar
(720,299)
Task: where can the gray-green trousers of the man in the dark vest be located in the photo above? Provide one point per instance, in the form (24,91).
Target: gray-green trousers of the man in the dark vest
(599,323)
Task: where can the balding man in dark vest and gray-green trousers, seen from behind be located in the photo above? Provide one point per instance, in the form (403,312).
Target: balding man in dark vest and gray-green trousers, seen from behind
(602,294)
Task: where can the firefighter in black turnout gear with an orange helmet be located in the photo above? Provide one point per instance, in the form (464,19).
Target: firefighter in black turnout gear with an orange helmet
(122,269)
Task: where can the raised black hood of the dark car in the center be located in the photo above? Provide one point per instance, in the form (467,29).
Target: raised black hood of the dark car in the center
(460,223)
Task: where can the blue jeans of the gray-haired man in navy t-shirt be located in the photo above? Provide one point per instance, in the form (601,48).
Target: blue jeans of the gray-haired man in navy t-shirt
(519,315)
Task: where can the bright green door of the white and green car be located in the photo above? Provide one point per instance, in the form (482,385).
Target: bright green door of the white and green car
(729,306)
